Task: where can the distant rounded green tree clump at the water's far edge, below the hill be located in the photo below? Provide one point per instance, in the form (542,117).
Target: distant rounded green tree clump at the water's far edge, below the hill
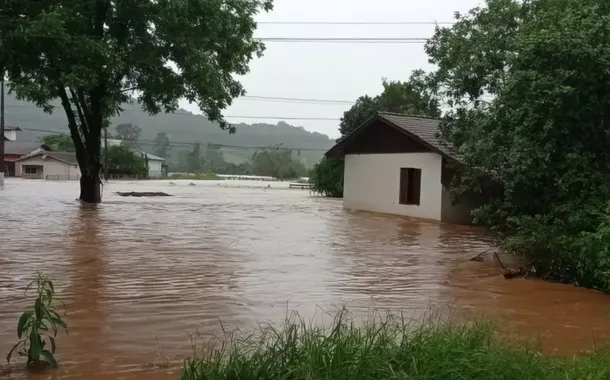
(278,163)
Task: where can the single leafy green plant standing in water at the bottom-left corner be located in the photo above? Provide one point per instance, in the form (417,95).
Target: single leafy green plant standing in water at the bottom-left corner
(38,327)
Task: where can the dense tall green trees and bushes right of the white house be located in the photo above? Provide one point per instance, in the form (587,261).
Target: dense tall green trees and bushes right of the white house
(529,85)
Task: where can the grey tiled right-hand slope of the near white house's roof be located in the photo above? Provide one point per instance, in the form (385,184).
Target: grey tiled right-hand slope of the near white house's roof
(422,127)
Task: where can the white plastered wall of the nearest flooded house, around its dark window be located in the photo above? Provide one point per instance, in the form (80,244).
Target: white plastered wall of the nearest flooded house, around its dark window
(372,183)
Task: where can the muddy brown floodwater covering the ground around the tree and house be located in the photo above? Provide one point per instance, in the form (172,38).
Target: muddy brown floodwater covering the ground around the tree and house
(137,275)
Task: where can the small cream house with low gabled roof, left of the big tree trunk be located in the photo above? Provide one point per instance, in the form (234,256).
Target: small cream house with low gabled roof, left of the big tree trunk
(48,165)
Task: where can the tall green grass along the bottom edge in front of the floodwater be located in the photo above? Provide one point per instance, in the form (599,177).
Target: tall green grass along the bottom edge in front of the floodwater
(387,348)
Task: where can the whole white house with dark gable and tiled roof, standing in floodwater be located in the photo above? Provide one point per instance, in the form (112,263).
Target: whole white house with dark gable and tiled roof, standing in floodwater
(395,164)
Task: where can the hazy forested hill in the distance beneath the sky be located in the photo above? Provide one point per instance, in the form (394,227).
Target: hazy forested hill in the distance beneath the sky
(180,128)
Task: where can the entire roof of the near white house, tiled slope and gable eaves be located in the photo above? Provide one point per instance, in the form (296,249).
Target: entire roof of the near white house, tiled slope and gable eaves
(422,129)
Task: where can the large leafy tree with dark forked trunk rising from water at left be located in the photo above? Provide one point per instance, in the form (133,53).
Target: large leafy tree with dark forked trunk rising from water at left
(95,55)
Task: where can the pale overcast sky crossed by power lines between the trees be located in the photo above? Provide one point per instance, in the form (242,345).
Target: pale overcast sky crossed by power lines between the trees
(339,71)
